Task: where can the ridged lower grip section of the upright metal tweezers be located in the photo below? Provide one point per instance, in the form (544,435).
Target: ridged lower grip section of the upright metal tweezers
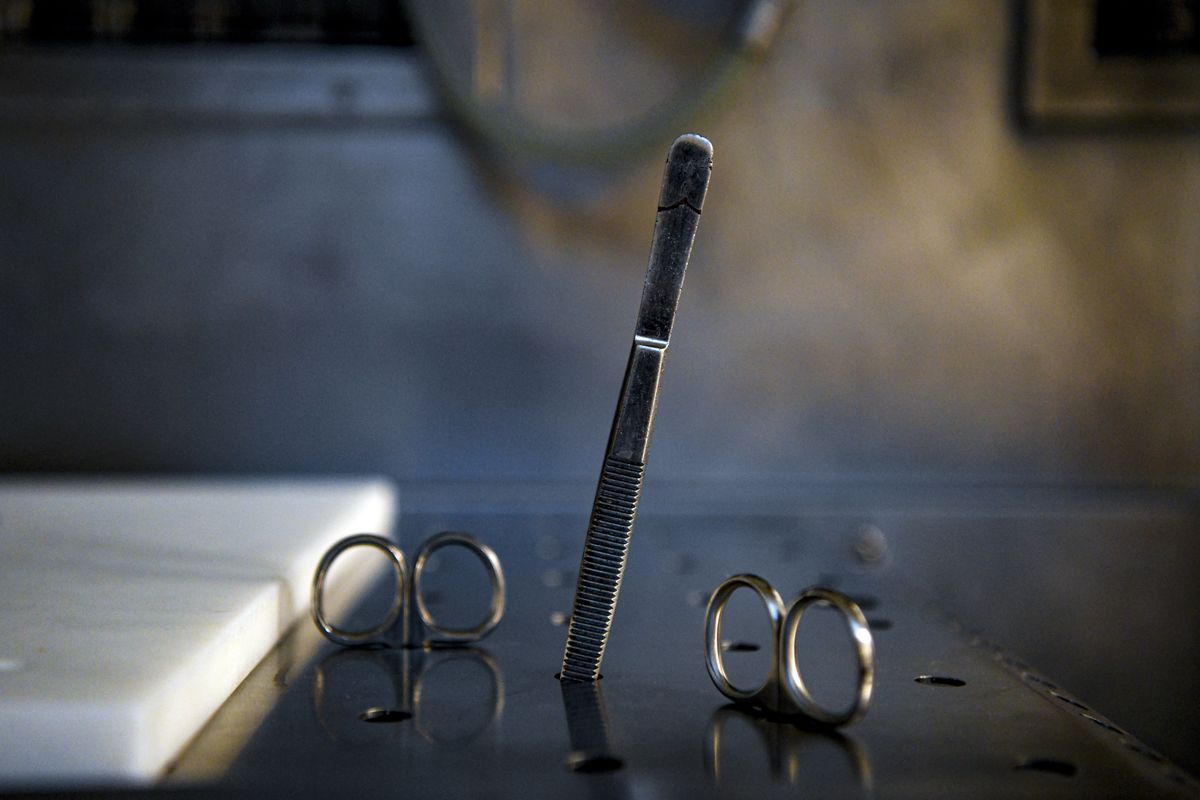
(605,554)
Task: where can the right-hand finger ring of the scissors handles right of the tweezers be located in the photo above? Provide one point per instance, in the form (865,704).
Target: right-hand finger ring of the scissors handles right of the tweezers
(865,651)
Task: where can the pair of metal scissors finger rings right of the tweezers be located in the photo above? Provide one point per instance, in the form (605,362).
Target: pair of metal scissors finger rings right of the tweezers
(784,691)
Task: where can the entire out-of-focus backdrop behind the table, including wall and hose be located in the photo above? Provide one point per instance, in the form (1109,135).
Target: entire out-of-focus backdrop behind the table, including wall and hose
(946,290)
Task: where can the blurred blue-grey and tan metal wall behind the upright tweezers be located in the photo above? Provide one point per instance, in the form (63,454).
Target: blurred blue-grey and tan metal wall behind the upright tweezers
(248,261)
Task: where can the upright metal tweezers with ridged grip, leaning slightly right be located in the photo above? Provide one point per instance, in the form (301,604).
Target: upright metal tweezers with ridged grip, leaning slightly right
(607,549)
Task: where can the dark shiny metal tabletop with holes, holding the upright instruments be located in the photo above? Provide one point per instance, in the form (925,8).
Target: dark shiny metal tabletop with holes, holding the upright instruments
(493,718)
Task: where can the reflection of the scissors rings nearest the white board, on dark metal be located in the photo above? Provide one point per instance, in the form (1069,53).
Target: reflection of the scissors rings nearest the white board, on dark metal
(410,678)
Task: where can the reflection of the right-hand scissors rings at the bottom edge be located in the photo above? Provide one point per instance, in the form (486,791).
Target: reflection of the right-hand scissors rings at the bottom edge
(785,745)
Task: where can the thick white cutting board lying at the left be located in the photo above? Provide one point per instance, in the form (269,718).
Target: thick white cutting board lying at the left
(131,610)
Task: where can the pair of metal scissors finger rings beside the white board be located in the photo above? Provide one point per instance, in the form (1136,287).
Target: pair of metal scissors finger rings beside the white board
(406,588)
